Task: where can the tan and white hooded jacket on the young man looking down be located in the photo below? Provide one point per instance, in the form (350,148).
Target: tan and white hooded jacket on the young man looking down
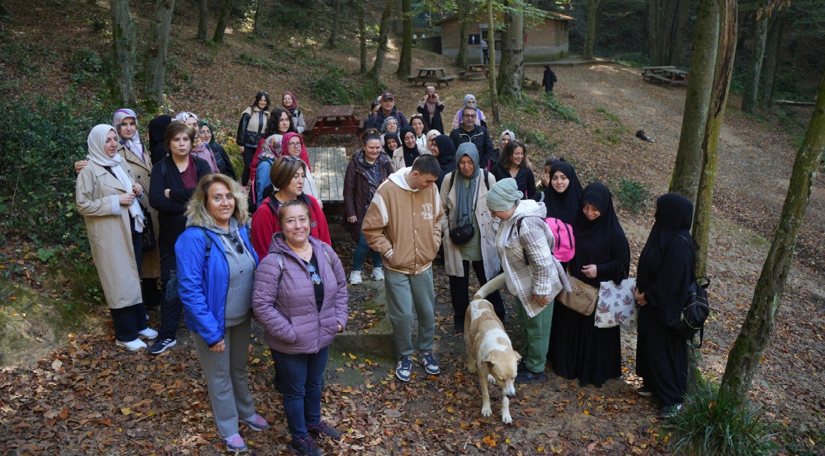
(404,224)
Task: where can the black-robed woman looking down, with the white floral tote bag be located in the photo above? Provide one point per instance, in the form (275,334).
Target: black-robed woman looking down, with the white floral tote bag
(593,355)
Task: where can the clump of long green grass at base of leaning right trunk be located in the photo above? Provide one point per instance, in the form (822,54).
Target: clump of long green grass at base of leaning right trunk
(711,423)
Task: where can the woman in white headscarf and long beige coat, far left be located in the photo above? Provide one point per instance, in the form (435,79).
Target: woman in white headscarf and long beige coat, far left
(107,198)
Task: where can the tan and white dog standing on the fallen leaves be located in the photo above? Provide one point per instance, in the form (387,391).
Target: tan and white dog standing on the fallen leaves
(489,351)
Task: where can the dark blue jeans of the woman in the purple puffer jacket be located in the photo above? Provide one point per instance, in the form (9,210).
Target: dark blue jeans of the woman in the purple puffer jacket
(301,387)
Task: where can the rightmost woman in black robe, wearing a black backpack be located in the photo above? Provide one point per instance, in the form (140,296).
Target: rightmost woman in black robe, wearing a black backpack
(663,277)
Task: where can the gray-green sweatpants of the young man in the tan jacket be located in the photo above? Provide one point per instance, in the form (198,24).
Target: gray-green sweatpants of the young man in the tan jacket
(405,292)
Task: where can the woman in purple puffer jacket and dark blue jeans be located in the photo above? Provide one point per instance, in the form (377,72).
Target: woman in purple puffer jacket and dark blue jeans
(300,298)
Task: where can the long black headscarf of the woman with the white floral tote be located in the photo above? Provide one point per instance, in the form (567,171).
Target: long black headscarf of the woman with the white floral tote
(600,241)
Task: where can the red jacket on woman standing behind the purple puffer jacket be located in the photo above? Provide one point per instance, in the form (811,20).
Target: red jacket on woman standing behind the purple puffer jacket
(265,223)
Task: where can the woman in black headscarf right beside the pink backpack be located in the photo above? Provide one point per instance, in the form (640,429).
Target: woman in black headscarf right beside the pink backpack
(562,198)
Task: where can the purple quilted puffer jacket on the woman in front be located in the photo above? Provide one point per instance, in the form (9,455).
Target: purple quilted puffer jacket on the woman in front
(283,298)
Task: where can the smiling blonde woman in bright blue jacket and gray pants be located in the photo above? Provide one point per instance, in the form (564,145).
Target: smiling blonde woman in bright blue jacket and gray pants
(216,268)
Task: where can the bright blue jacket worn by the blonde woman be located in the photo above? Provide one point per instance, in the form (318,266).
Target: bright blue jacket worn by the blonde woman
(204,283)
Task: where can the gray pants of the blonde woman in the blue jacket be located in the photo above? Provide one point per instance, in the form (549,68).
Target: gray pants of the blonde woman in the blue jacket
(227,377)
